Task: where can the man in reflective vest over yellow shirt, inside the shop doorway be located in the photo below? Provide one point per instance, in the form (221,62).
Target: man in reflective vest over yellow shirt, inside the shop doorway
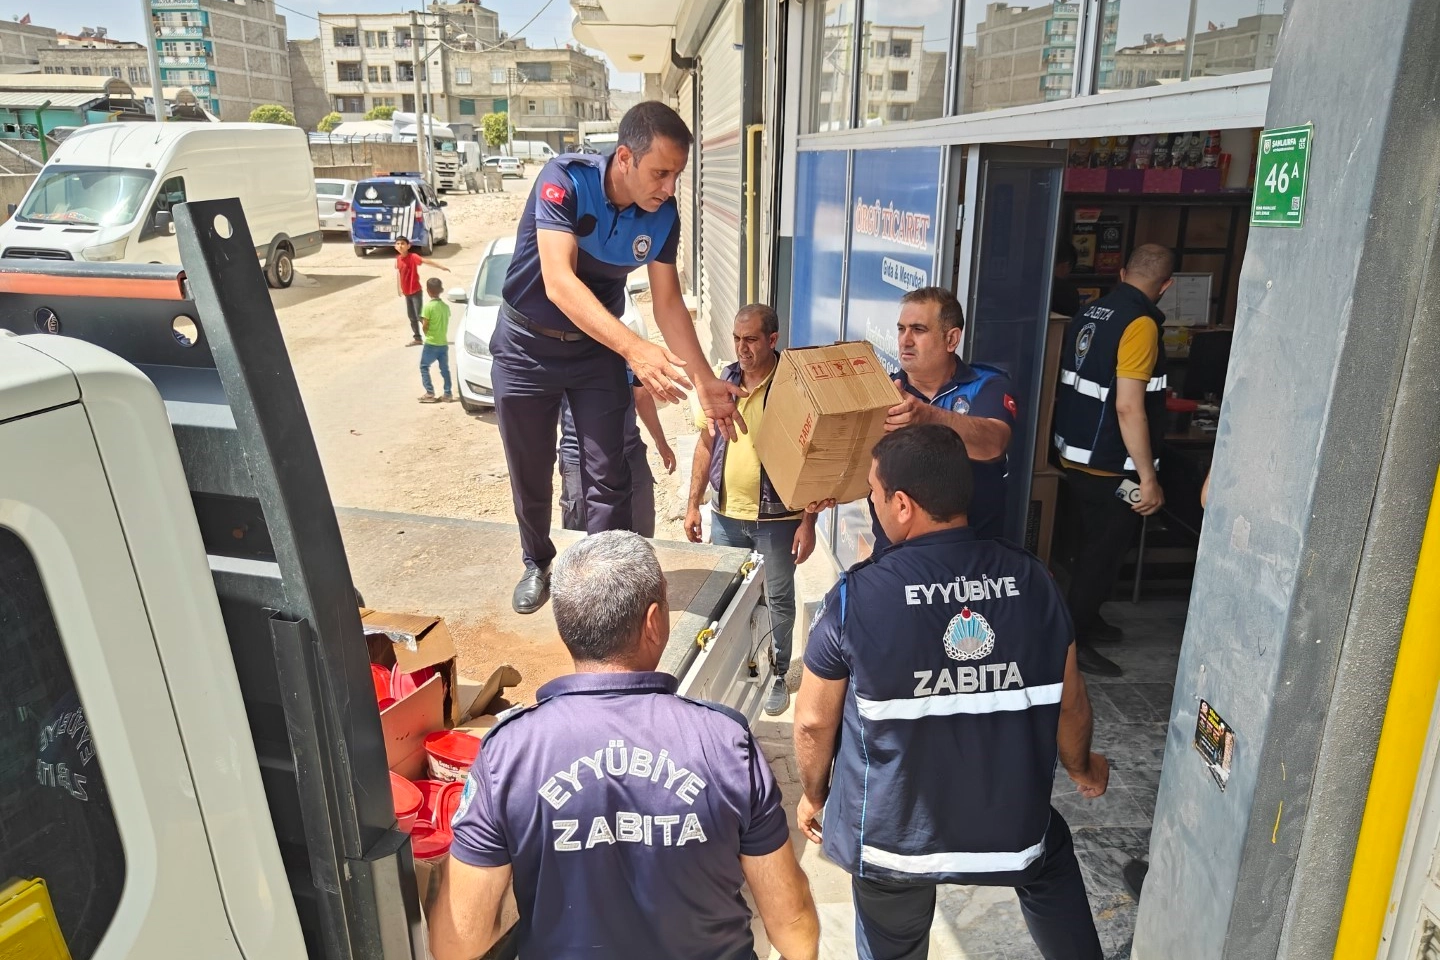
(1110,424)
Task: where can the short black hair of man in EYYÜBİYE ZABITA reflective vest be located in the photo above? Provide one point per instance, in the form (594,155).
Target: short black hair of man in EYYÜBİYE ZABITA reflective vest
(931,466)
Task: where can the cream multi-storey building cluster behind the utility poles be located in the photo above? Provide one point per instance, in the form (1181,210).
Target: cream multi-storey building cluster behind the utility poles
(369,61)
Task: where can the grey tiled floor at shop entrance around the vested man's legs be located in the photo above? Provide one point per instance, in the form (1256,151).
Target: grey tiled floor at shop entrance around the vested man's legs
(984,923)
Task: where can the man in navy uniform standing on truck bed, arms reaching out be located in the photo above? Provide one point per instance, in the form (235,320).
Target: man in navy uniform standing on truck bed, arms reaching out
(590,222)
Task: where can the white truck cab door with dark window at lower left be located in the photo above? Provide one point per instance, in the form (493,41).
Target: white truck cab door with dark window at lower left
(96,792)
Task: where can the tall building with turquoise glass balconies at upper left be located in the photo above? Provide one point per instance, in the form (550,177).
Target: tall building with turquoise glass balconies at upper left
(231,53)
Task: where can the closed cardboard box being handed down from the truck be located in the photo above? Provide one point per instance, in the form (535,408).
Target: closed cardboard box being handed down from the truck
(826,412)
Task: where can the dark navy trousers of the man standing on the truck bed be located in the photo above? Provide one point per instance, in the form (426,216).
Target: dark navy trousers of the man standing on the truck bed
(531,373)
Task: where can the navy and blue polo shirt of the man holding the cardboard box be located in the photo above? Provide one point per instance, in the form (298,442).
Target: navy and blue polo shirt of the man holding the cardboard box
(993,398)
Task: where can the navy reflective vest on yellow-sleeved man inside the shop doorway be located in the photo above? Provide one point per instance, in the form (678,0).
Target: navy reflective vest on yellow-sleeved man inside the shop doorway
(1086,427)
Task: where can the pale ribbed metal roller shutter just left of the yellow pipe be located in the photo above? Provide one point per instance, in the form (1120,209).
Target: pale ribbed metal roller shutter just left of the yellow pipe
(722,81)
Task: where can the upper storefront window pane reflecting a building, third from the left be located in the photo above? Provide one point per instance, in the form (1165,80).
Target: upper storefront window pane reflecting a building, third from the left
(1017,55)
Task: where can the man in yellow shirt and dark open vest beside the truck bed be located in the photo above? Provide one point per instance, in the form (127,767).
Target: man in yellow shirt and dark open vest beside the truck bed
(745,510)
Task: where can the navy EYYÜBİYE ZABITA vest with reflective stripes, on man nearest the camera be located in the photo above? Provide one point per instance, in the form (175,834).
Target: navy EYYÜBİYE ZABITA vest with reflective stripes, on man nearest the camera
(957,651)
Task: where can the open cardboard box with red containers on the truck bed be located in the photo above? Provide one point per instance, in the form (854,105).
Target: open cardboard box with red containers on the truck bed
(414,643)
